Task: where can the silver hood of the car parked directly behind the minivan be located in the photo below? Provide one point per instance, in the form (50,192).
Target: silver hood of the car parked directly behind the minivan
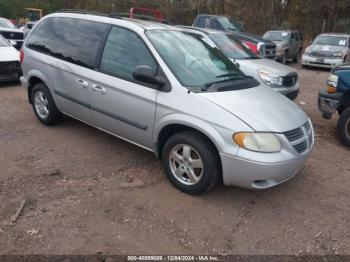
(278,69)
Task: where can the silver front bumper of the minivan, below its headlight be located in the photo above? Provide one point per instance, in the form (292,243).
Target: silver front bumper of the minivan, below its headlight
(259,175)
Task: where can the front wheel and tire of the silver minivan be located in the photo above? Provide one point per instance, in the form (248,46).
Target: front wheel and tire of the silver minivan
(200,152)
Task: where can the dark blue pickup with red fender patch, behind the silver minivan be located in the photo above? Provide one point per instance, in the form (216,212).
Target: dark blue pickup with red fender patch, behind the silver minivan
(260,46)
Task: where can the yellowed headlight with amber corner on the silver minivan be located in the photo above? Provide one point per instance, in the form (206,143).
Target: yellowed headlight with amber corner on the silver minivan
(258,142)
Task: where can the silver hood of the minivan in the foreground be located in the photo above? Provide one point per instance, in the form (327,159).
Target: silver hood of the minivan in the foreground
(261,108)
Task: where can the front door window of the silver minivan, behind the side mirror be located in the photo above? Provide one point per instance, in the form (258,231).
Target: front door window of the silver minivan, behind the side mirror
(124,50)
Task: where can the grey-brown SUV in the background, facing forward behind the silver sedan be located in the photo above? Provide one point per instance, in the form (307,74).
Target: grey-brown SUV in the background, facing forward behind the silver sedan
(289,44)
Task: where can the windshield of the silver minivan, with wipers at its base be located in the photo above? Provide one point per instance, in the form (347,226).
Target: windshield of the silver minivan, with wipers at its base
(196,62)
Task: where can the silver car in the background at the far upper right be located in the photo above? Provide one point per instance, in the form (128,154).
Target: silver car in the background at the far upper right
(328,51)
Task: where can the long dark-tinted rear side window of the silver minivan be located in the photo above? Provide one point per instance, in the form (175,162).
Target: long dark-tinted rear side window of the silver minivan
(73,40)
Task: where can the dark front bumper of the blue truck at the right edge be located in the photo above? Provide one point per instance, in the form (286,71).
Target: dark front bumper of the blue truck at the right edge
(328,103)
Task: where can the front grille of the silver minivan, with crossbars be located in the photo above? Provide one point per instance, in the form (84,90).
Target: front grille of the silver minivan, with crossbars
(301,138)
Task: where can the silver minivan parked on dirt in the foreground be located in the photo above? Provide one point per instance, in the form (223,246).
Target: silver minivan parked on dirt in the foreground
(168,92)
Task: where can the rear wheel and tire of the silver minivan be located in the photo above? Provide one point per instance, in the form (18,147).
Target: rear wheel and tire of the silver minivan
(43,105)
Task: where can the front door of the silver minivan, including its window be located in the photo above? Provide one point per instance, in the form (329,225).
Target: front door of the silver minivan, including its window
(120,104)
